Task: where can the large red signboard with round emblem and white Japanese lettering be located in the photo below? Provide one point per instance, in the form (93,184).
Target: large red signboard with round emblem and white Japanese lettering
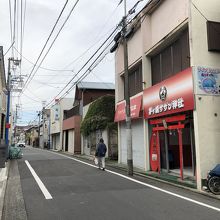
(172,95)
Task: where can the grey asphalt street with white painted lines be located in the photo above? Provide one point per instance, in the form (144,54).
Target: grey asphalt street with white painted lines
(71,189)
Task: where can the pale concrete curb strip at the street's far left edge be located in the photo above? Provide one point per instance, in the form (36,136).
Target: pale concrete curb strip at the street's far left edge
(3,184)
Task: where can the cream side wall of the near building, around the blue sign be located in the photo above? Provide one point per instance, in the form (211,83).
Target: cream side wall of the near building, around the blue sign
(207,125)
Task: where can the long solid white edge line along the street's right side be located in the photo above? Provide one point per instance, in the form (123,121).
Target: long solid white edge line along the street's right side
(148,185)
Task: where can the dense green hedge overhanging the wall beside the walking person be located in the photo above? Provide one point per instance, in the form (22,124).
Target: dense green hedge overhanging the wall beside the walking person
(100,115)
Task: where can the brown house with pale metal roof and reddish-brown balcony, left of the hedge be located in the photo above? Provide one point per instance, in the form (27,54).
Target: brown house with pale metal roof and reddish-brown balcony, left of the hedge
(85,93)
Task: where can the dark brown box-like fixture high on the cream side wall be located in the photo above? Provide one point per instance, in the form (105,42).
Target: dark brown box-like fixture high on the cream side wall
(213,35)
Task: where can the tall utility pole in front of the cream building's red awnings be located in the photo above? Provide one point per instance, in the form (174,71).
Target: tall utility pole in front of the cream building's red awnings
(127,96)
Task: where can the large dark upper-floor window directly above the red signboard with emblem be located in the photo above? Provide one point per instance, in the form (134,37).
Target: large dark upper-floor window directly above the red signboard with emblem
(171,60)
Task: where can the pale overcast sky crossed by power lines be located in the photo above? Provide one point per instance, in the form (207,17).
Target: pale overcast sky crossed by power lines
(89,25)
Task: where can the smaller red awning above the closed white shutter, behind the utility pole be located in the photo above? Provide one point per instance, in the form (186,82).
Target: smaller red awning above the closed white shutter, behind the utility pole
(135,107)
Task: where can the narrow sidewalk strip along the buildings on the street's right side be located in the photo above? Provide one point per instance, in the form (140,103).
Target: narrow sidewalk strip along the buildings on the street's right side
(162,178)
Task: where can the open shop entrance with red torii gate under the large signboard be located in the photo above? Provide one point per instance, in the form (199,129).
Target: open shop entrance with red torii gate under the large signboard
(172,147)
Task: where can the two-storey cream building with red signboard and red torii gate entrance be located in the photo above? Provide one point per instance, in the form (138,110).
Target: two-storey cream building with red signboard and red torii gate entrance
(174,74)
